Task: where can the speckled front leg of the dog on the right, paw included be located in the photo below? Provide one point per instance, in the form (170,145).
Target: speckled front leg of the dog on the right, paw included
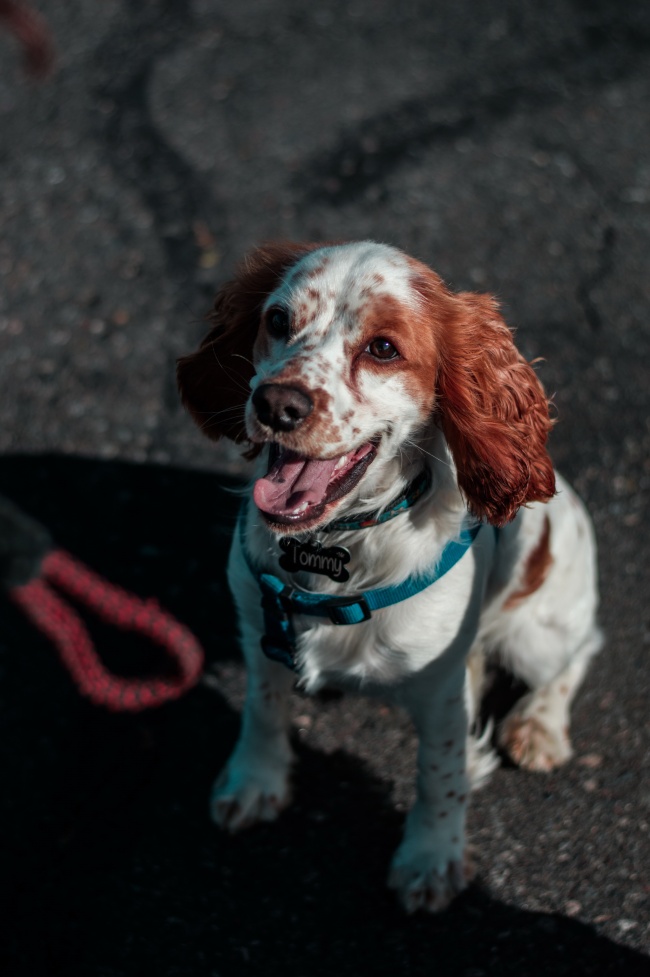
(428,868)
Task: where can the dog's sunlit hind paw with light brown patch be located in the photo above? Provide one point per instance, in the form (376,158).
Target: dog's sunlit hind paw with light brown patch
(532,744)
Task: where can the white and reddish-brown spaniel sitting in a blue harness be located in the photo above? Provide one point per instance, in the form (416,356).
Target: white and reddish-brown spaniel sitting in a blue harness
(405,524)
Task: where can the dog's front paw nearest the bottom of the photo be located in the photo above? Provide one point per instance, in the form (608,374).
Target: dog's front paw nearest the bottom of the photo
(428,880)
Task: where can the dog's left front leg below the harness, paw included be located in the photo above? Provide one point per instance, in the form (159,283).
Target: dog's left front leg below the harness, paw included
(254,785)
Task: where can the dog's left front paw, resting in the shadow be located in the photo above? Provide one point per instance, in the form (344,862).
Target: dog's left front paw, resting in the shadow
(245,795)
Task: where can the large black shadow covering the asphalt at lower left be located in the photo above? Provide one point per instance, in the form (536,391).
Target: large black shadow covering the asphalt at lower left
(113,865)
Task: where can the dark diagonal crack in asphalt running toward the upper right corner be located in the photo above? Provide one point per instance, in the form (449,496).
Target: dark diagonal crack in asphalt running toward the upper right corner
(607,51)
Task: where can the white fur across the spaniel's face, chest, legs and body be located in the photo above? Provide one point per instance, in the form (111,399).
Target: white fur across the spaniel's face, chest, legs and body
(414,653)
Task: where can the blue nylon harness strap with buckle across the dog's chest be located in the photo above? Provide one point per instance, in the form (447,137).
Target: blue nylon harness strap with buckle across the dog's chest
(280,601)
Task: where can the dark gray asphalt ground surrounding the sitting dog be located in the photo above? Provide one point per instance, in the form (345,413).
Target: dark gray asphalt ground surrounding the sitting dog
(507,146)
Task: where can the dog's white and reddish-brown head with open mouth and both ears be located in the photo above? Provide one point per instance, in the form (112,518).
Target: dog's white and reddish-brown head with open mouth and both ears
(339,356)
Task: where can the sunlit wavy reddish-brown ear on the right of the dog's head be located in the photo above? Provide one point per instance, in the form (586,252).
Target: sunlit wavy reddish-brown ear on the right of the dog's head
(494,413)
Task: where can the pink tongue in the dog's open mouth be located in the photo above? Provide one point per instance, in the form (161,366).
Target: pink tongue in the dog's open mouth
(291,482)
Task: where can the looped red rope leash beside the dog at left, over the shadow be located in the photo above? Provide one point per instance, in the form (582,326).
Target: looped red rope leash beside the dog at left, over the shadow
(61,624)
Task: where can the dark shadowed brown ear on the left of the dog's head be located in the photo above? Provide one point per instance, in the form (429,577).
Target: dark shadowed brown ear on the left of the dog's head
(214,382)
